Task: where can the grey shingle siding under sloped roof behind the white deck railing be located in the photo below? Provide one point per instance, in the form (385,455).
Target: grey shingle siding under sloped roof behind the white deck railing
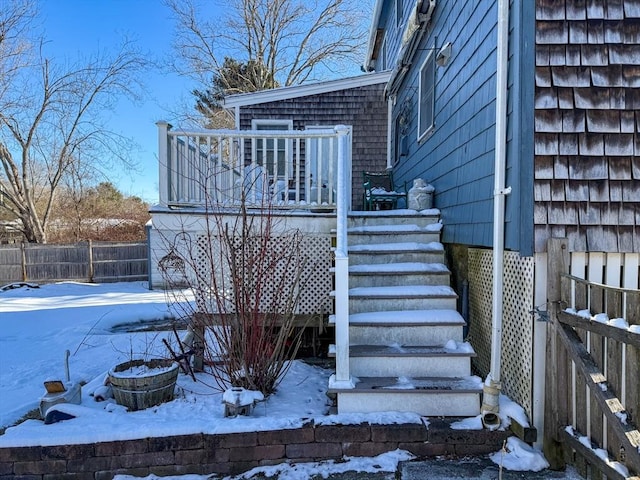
(362,107)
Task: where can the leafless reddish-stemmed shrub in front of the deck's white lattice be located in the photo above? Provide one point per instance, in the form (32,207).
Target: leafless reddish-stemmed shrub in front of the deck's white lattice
(246,270)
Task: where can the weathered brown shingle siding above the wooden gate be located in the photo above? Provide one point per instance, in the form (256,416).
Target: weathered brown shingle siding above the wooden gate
(587,124)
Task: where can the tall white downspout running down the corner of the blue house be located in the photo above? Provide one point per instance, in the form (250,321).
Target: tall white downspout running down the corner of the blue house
(492,385)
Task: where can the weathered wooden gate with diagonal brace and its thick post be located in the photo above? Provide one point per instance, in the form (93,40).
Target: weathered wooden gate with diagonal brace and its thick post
(593,370)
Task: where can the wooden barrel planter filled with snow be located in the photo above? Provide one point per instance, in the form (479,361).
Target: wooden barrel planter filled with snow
(140,384)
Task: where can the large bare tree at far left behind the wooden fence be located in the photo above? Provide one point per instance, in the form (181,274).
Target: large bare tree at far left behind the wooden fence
(51,116)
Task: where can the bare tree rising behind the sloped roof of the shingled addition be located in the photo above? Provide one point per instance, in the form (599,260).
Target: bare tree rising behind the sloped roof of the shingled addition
(288,39)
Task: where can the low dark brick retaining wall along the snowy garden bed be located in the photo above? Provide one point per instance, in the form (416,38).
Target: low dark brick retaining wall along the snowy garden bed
(237,452)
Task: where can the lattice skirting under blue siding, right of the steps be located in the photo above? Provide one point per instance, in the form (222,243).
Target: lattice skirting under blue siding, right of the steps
(517,323)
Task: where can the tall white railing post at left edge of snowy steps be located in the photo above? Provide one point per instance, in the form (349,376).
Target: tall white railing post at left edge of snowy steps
(342,377)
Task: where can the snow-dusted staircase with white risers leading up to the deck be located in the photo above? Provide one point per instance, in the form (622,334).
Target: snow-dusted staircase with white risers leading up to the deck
(406,349)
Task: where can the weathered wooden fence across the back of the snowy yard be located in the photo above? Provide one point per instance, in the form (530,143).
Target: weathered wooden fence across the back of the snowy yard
(100,262)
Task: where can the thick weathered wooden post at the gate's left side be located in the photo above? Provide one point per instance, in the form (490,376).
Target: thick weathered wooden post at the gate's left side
(556,375)
